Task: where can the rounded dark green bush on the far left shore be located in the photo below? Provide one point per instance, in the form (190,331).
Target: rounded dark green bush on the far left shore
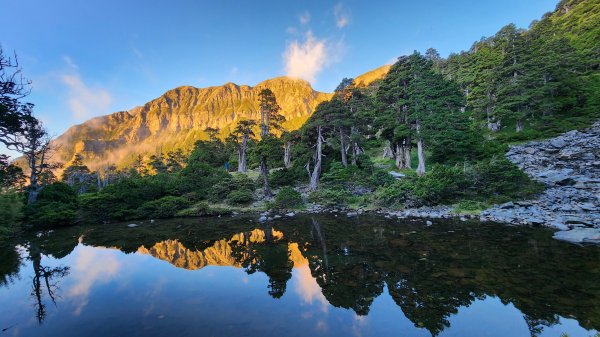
(56,206)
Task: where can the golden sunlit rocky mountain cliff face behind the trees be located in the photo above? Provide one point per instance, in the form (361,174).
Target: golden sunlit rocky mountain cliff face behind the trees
(177,119)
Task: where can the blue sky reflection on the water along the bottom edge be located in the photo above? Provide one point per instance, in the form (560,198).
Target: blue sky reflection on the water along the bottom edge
(109,293)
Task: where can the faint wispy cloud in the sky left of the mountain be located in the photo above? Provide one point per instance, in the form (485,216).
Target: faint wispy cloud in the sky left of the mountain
(84,101)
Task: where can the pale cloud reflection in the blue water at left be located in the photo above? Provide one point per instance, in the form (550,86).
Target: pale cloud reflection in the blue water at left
(93,265)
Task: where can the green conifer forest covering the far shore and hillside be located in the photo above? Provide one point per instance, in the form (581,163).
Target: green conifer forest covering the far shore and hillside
(433,131)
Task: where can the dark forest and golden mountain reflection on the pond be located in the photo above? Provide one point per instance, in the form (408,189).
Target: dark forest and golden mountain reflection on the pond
(430,273)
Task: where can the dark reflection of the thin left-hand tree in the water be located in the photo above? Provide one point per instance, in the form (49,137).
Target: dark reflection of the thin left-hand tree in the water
(44,277)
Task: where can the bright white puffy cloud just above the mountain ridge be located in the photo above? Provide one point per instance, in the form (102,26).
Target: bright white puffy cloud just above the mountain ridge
(308,58)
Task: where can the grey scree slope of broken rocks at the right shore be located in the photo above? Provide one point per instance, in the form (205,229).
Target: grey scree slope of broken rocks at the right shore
(569,166)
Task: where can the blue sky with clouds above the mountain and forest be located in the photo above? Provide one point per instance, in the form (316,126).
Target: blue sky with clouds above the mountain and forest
(91,58)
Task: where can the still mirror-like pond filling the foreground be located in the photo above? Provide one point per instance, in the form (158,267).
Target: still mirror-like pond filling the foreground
(317,276)
